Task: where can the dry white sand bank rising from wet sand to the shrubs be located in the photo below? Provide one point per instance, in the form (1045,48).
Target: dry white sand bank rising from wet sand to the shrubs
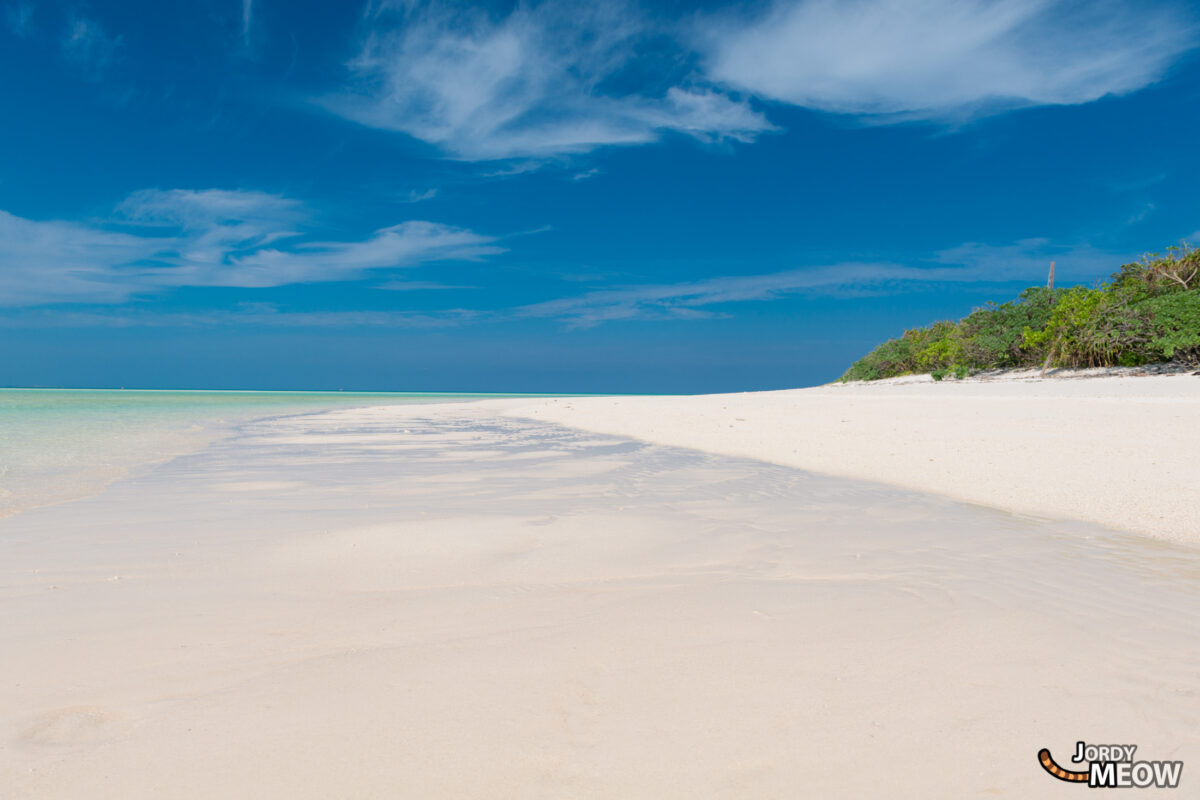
(1120,452)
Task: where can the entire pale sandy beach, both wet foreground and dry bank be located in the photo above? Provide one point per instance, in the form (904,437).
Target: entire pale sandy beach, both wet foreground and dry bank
(719,597)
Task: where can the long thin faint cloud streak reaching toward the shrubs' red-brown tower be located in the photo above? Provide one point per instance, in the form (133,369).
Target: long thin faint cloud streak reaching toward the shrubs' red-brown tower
(1025,261)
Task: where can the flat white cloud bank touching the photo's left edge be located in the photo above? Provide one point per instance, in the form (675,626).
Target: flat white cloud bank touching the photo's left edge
(164,239)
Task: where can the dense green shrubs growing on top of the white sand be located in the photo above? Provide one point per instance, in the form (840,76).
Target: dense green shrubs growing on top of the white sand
(1149,312)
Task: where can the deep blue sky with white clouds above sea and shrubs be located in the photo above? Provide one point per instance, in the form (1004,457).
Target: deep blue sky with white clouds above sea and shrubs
(565,197)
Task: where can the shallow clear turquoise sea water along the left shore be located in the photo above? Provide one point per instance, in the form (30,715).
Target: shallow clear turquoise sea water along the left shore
(61,444)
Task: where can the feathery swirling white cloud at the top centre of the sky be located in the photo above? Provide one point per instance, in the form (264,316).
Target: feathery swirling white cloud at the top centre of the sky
(545,81)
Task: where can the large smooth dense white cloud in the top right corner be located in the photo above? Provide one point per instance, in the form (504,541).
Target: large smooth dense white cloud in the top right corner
(938,59)
